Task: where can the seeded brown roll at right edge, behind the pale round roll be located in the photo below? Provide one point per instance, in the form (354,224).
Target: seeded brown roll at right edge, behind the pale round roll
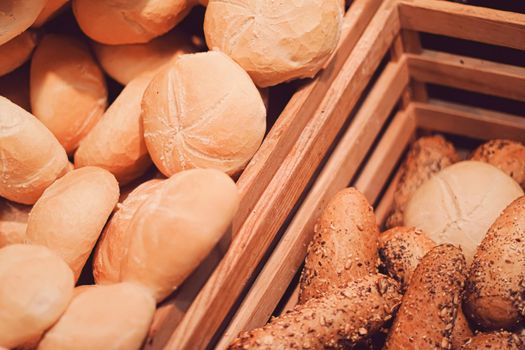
(506,155)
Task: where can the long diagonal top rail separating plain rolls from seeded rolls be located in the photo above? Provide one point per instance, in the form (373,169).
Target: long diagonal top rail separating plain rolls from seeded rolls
(229,279)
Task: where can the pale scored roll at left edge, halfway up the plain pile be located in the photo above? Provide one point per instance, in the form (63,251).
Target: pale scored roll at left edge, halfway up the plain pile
(31,157)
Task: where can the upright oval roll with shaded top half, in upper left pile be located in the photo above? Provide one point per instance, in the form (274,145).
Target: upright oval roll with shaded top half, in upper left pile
(68,91)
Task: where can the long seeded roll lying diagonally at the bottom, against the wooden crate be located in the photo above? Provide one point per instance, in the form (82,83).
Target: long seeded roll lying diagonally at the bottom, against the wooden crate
(336,320)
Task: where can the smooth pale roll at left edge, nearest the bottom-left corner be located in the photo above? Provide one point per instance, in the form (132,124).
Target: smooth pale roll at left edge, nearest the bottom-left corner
(35,288)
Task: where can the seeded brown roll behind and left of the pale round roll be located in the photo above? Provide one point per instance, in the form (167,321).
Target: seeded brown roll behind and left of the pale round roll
(426,157)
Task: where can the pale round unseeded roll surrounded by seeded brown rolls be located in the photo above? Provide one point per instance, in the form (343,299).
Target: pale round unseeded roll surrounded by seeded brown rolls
(459,204)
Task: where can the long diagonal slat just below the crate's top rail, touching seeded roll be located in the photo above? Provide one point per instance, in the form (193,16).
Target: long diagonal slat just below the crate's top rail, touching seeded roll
(287,257)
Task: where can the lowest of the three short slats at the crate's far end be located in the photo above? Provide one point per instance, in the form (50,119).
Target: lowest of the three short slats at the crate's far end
(469,121)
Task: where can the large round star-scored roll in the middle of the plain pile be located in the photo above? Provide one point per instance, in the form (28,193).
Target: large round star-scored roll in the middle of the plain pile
(203,111)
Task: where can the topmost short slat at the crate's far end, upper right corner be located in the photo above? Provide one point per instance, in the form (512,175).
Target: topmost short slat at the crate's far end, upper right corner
(480,24)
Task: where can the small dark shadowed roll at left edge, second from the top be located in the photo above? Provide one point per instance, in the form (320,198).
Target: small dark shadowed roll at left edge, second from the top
(16,51)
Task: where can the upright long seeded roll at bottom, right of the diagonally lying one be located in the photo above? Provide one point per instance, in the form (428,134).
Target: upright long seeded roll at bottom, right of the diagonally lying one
(428,311)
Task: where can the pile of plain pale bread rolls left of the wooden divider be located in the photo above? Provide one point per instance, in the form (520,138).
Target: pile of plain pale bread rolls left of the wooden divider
(183,123)
